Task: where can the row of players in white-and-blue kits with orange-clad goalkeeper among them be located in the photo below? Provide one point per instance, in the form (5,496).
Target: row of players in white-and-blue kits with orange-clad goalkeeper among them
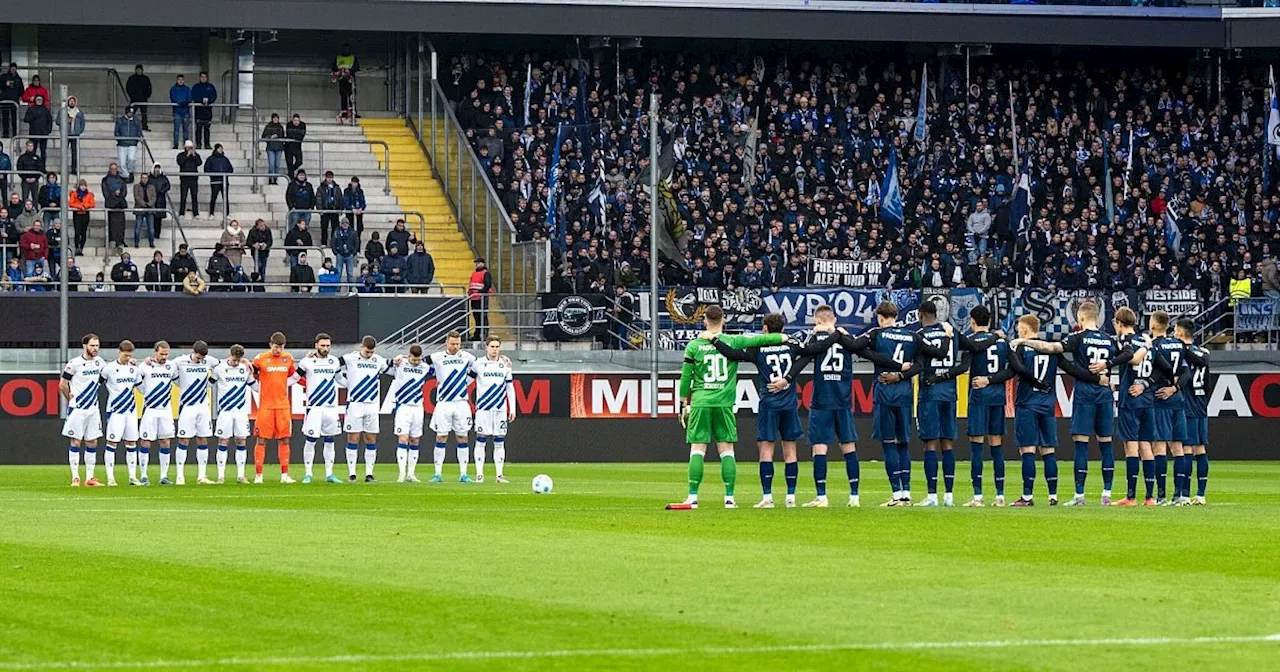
(272,374)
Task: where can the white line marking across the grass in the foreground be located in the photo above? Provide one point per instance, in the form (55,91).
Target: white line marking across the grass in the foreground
(632,653)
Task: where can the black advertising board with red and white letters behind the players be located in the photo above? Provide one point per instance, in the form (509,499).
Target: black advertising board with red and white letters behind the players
(605,418)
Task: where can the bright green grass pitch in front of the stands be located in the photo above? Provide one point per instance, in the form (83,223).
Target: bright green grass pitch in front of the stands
(600,577)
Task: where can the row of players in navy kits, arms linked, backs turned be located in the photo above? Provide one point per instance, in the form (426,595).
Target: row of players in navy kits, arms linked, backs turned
(1163,404)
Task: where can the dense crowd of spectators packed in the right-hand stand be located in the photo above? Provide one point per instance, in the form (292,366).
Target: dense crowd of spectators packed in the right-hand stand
(826,130)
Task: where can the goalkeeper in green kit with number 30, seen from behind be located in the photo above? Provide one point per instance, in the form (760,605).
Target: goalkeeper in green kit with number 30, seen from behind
(708,392)
